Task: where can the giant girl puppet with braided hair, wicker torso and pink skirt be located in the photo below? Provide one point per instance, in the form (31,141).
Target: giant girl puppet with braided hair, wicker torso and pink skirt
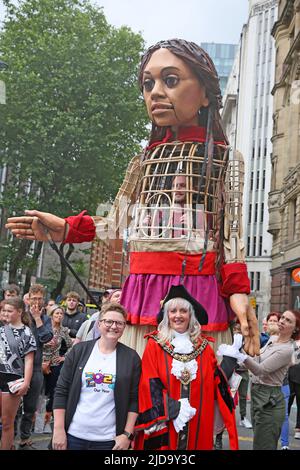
(182,199)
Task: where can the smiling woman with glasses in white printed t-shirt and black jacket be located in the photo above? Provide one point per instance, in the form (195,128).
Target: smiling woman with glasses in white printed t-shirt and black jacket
(96,398)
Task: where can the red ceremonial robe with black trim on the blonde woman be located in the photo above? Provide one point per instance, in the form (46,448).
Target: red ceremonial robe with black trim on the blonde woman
(159,391)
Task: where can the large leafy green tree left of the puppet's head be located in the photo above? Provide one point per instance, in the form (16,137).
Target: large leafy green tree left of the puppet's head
(74,115)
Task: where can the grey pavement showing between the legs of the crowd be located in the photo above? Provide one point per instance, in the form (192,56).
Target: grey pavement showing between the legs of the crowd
(41,441)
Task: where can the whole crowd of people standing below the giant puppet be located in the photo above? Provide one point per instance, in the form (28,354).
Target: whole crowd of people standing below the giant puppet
(158,401)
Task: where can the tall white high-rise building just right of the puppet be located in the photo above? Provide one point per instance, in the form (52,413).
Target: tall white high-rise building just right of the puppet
(247,117)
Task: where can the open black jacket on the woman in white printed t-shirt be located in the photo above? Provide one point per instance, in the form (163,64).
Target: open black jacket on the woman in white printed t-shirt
(128,371)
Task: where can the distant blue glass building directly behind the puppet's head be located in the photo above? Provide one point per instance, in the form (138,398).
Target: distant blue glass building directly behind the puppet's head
(223,56)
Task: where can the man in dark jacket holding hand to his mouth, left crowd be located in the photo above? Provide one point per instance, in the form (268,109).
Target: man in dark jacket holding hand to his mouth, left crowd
(42,331)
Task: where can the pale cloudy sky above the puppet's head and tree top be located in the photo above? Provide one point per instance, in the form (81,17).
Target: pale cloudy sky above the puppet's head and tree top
(194,20)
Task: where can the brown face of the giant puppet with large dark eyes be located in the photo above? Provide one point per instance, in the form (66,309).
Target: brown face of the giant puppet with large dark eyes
(172,92)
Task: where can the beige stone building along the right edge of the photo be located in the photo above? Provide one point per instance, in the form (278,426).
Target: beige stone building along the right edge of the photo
(284,198)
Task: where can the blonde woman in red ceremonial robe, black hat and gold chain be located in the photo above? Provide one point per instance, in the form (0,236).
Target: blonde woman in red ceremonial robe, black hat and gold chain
(182,390)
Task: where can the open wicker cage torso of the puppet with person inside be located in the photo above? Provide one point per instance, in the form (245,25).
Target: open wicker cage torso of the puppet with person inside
(178,200)
